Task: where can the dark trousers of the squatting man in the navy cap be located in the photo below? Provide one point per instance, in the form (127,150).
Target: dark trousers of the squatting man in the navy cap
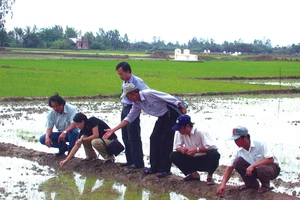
(188,164)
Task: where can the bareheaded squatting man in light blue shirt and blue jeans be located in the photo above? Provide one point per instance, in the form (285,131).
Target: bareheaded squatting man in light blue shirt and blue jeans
(61,116)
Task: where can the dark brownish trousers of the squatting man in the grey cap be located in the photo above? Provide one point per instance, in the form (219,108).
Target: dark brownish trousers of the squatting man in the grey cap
(264,173)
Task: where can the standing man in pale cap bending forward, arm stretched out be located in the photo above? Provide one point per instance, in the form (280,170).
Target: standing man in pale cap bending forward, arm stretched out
(154,103)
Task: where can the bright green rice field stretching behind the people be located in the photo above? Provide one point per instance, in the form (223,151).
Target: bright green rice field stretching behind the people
(43,77)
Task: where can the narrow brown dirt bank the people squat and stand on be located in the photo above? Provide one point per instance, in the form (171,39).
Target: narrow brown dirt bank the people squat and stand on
(130,176)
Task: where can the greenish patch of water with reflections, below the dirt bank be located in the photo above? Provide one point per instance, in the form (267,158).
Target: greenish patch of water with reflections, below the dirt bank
(70,186)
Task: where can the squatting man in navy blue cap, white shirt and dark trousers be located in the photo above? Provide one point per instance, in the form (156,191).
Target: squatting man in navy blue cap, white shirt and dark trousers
(195,151)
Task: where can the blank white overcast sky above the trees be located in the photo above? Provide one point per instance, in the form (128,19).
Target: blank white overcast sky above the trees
(170,20)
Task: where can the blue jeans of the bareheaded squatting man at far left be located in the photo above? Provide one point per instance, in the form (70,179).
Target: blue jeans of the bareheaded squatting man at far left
(71,137)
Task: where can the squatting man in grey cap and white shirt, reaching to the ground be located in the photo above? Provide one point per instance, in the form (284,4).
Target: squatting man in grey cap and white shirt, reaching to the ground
(253,160)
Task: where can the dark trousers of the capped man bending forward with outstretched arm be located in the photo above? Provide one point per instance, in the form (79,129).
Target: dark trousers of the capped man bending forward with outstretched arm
(161,142)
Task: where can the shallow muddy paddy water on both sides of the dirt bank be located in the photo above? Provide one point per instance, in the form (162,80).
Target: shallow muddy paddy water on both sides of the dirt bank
(273,119)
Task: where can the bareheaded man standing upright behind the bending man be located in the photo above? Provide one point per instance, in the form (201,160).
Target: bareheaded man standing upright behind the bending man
(131,134)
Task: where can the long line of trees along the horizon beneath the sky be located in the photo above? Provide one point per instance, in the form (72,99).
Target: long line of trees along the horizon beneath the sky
(57,38)
